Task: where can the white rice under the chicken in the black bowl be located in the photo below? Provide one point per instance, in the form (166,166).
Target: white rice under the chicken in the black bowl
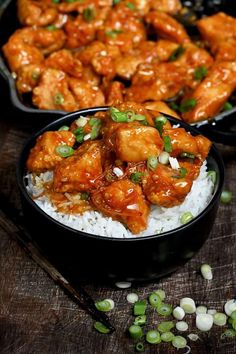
(160,219)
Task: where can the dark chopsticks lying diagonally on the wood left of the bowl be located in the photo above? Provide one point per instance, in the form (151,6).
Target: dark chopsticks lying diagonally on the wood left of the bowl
(18,231)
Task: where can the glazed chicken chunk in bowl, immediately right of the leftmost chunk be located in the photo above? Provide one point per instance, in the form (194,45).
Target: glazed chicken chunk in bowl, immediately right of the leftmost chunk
(80,172)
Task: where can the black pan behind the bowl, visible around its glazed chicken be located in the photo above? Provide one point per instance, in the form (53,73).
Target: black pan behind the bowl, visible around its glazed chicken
(221,129)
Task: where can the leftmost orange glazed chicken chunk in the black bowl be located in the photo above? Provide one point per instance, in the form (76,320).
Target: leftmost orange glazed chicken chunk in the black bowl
(43,156)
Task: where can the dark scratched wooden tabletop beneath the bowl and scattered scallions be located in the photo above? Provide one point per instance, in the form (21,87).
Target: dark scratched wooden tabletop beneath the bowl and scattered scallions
(37,317)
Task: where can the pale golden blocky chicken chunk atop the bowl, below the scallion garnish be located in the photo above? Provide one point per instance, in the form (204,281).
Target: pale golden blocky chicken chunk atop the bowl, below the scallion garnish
(136,143)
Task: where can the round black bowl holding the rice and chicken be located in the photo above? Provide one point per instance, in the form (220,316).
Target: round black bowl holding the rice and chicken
(84,256)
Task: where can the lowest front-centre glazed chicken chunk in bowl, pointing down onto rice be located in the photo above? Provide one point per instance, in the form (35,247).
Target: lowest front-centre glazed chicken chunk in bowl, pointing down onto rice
(123,201)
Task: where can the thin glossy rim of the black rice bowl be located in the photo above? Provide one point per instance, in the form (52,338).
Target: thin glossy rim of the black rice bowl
(20,175)
